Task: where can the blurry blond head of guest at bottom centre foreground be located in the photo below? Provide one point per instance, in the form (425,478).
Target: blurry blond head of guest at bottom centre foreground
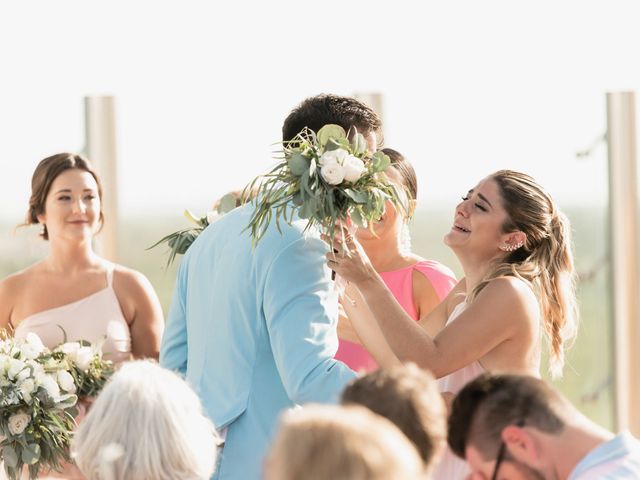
(322,442)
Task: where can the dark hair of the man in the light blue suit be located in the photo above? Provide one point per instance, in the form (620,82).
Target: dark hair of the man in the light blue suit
(316,112)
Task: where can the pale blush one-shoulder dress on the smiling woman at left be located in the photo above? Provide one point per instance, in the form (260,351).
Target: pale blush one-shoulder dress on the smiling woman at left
(95,318)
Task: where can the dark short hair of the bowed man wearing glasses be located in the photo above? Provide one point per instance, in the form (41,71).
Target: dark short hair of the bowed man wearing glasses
(488,404)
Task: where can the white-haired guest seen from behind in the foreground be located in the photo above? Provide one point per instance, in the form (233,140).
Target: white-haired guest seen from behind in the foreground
(146,424)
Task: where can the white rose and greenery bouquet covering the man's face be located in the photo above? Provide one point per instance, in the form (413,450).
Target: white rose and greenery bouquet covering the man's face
(328,179)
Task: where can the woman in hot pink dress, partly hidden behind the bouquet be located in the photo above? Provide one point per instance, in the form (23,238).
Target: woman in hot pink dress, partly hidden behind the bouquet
(417,284)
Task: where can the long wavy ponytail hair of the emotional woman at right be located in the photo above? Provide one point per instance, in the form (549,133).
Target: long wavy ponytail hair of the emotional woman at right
(545,261)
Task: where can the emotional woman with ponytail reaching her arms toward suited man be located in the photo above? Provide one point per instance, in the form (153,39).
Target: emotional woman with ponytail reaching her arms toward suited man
(515,249)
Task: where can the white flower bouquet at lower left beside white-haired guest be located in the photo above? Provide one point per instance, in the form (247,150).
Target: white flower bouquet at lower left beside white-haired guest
(37,400)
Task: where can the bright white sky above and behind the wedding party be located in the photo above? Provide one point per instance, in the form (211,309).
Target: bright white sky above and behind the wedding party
(203,87)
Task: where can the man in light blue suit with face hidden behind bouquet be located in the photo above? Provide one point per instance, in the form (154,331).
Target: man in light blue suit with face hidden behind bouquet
(254,331)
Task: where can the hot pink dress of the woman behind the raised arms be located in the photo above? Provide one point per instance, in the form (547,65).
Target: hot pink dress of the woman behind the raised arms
(400,282)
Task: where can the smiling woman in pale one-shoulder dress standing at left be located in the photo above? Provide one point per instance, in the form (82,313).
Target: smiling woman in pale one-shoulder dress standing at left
(74,291)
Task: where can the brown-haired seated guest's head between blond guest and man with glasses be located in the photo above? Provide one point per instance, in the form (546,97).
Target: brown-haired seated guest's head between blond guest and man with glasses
(409,397)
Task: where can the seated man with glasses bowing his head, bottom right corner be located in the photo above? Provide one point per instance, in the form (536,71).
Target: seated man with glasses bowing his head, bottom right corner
(513,427)
